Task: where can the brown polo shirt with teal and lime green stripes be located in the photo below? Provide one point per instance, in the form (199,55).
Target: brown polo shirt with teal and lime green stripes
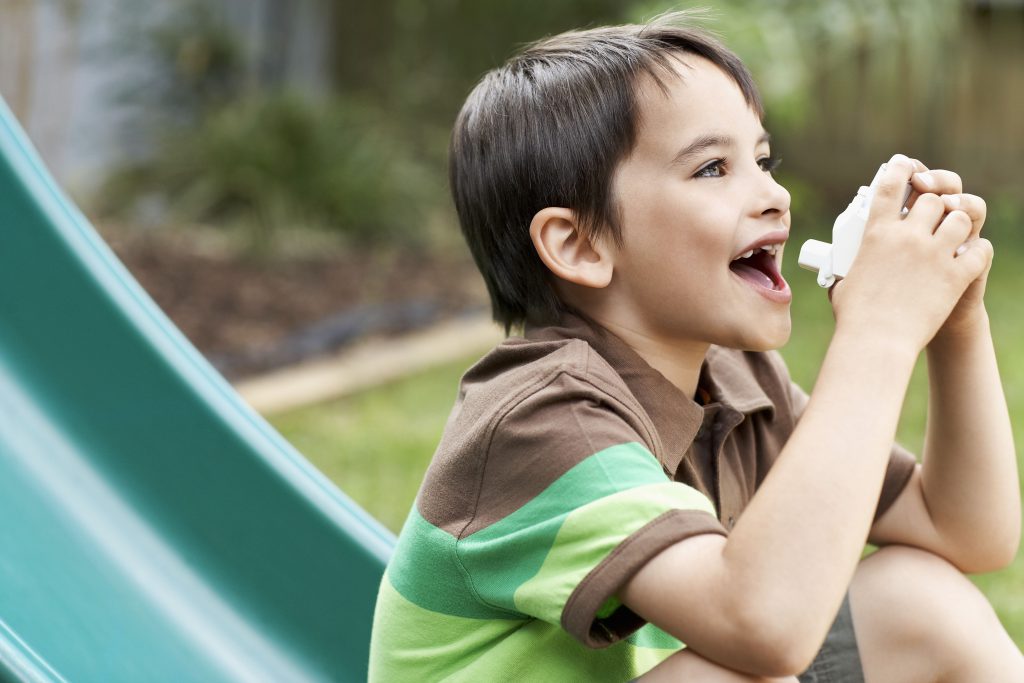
(568,463)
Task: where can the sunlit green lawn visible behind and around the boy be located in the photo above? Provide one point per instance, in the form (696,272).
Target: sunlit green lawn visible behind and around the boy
(377,445)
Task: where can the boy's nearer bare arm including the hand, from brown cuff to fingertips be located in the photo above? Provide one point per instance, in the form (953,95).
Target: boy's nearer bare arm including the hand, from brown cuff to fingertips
(762,601)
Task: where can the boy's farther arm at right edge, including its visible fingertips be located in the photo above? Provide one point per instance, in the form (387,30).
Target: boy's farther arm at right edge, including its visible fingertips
(964,503)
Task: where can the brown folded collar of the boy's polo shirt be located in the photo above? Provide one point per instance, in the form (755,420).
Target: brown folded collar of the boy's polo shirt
(677,417)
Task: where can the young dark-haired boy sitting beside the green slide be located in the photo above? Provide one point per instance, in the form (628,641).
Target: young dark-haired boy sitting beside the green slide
(638,472)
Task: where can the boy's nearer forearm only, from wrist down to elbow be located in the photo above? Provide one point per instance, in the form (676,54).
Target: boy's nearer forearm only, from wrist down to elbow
(799,542)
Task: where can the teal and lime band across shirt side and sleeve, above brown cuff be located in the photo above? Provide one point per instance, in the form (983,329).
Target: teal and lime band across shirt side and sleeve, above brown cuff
(531,562)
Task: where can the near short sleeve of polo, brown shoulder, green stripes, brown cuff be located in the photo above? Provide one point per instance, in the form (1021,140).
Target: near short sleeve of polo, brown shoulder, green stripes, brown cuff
(594,506)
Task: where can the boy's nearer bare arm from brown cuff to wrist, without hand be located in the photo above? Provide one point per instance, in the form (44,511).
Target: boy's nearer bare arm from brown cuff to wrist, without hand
(762,600)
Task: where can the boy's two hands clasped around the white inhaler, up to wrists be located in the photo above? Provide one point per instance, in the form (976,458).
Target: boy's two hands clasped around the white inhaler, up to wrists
(909,278)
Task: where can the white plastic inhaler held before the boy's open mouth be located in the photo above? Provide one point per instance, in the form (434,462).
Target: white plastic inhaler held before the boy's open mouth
(833,262)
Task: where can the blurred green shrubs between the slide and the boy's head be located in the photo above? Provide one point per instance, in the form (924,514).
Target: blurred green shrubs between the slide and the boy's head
(260,158)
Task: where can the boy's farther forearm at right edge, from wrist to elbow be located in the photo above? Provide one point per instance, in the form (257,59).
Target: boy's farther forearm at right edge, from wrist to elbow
(970,481)
